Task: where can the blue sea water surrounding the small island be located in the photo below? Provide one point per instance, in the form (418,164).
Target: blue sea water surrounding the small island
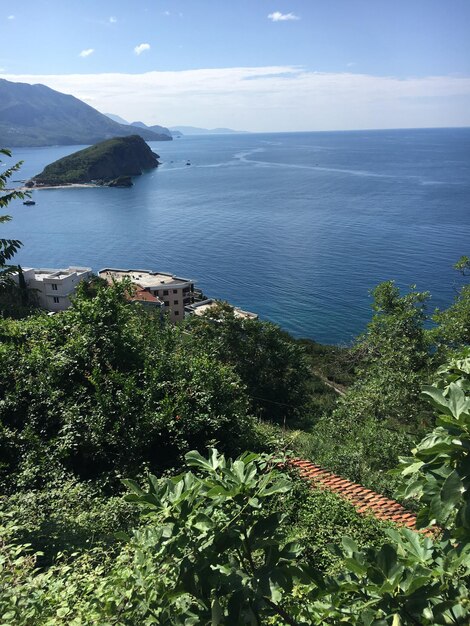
(295,226)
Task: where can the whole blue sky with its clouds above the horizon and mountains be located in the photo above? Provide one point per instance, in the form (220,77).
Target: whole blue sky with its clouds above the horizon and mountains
(256,65)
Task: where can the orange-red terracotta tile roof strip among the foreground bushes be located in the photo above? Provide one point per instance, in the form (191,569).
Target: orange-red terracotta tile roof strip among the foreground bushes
(365,500)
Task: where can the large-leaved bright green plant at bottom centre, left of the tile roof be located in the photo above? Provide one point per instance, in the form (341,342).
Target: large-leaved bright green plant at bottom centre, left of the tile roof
(225,553)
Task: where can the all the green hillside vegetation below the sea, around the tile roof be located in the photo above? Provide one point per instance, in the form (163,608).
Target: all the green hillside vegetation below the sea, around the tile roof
(121,503)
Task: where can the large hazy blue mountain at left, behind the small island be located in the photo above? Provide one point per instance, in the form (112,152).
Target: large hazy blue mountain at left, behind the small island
(35,115)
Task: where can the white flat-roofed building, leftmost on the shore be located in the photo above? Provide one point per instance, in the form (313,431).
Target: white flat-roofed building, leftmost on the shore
(54,287)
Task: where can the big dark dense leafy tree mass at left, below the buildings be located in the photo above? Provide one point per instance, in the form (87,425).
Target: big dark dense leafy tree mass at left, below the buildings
(105,387)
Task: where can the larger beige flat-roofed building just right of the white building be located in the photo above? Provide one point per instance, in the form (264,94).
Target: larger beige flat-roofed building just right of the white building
(174,292)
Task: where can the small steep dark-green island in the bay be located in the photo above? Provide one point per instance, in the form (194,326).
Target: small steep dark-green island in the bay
(111,163)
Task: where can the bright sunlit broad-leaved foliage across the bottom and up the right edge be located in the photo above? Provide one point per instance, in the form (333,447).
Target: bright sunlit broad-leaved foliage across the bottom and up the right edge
(212,552)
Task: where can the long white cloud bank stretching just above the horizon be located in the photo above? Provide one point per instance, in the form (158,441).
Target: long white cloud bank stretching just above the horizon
(274,98)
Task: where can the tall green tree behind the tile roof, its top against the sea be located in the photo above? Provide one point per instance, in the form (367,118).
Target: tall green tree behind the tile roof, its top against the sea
(382,412)
